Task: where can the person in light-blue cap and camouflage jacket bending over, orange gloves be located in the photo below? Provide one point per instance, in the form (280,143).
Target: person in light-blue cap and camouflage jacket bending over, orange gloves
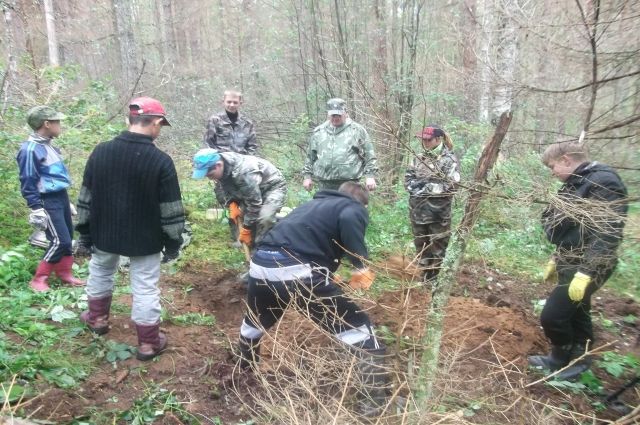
(255,185)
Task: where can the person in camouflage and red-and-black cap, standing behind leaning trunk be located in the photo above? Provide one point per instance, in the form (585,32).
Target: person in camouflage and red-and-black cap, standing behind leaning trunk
(430,182)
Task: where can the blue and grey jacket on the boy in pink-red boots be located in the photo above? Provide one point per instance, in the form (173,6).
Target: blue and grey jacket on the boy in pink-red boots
(41,170)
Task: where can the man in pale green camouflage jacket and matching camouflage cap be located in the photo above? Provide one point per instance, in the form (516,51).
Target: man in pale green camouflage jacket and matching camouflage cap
(339,150)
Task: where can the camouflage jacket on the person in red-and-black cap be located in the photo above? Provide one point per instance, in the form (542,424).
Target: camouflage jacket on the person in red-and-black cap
(432,174)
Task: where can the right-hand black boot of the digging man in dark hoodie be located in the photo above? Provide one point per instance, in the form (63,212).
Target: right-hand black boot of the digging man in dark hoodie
(372,397)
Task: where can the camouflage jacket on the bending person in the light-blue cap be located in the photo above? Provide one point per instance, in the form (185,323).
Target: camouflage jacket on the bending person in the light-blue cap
(247,180)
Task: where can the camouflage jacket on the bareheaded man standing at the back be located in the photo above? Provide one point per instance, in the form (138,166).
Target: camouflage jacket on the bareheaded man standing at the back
(225,136)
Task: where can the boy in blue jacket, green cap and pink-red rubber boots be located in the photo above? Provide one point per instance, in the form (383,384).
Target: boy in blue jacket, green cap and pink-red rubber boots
(44,180)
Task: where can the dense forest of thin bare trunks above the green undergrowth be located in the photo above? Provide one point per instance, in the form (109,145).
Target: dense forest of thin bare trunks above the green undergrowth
(561,66)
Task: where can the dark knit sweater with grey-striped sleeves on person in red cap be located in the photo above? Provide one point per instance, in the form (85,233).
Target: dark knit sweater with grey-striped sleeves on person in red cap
(130,202)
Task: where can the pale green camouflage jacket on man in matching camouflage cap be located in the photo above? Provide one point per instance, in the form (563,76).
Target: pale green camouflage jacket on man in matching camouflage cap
(344,153)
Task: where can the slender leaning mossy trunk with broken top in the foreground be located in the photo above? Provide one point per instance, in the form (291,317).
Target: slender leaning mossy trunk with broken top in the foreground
(432,338)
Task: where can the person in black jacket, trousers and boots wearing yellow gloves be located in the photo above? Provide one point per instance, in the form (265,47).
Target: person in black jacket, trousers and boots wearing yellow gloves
(585,222)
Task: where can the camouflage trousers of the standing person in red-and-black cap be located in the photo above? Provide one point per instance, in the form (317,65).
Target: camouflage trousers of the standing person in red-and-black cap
(431,241)
